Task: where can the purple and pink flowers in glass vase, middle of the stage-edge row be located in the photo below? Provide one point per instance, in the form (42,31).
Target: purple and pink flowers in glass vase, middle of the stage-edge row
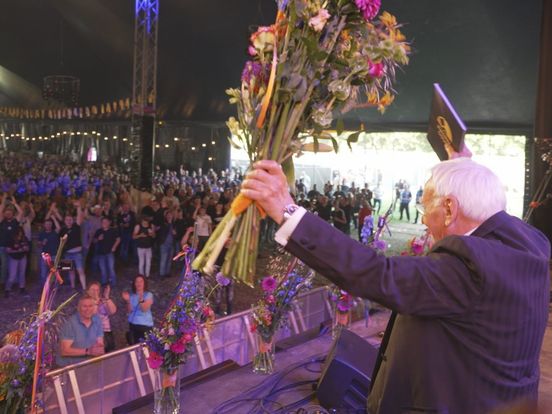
(271,311)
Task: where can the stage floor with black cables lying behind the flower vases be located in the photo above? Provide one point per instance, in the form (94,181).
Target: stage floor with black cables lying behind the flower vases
(209,395)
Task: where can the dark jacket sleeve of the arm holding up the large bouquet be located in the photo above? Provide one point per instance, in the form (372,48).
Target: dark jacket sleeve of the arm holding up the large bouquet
(444,283)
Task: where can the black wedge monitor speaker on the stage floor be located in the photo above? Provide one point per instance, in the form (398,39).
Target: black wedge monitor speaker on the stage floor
(345,380)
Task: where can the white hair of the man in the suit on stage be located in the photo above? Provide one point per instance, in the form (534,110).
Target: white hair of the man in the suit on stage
(479,191)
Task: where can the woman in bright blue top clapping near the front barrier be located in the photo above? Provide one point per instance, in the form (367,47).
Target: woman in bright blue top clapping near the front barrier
(138,303)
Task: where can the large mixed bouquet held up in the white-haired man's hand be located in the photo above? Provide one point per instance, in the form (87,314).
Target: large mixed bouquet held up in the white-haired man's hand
(319,58)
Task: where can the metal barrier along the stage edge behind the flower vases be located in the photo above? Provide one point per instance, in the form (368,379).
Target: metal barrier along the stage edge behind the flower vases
(99,384)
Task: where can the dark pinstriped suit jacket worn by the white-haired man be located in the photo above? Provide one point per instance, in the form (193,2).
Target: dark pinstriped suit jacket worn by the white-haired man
(472,314)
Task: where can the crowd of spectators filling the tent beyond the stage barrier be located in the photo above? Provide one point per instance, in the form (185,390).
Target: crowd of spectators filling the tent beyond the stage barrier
(107,226)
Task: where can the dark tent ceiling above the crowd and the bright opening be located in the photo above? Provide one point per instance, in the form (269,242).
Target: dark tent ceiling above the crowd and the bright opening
(483,52)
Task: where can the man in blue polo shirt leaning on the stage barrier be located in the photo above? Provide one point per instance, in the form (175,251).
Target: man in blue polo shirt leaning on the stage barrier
(81,336)
